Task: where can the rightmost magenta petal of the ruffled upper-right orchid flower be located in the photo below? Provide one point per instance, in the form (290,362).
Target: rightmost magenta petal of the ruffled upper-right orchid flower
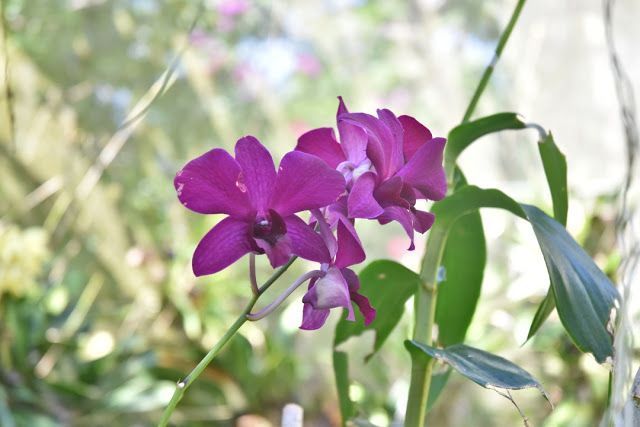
(425,172)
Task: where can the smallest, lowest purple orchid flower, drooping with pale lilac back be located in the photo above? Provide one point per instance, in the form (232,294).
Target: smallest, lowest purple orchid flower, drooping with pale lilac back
(339,285)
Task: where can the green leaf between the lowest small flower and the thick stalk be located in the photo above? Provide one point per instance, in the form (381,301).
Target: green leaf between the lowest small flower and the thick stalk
(388,285)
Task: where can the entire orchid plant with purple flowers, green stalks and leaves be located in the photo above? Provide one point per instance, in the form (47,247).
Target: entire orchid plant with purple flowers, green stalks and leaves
(375,169)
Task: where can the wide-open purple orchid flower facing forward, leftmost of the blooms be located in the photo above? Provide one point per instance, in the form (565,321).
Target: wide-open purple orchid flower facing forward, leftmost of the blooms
(260,203)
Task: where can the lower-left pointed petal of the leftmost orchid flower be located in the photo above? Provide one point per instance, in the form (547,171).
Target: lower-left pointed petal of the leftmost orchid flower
(221,246)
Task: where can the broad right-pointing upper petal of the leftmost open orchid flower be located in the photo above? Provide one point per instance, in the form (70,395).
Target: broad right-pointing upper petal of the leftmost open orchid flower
(305,182)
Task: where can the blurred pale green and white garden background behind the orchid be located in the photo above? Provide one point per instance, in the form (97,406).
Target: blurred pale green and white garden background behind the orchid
(103,101)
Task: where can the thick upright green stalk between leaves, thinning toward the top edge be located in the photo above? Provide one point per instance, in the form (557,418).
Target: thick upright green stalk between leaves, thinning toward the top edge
(426,296)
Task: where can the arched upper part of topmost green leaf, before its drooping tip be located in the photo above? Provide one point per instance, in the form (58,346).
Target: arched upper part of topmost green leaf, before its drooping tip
(463,135)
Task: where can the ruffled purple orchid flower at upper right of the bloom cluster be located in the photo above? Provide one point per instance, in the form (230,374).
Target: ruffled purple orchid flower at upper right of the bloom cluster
(388,163)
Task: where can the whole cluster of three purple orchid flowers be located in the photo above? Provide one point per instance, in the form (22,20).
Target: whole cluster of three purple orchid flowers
(377,170)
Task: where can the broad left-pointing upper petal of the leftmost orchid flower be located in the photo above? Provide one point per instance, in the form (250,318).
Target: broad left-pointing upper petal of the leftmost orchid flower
(209,185)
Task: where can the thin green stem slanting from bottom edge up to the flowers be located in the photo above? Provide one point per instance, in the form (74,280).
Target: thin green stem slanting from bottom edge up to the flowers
(185,383)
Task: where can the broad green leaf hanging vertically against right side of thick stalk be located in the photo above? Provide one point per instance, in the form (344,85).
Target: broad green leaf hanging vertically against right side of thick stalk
(458,293)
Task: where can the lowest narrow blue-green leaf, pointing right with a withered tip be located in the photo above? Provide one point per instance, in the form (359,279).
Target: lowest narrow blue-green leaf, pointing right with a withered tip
(483,368)
